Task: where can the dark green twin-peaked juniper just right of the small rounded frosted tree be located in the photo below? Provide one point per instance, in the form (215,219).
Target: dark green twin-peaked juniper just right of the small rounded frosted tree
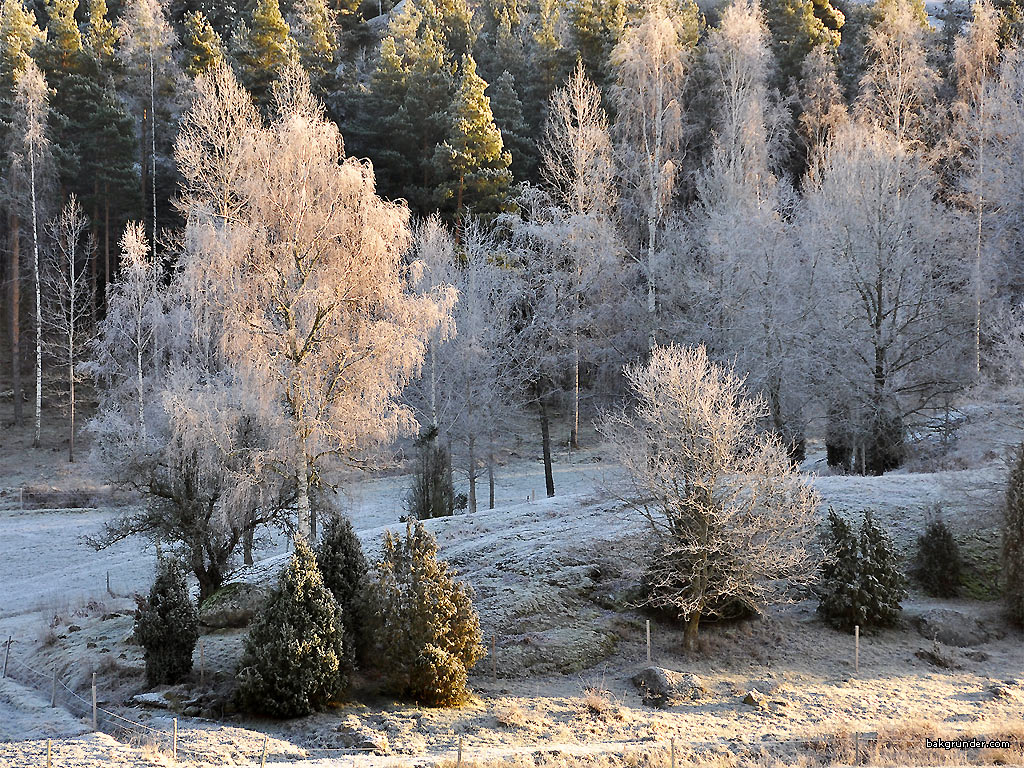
(861,581)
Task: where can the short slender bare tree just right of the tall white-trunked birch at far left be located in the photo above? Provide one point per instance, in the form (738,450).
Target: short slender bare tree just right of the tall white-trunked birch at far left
(69,297)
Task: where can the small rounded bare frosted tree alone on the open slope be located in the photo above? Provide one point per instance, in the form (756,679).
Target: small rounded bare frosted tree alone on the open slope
(731,518)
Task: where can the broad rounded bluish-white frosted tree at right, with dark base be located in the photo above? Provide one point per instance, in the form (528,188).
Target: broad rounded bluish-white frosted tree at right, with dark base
(887,277)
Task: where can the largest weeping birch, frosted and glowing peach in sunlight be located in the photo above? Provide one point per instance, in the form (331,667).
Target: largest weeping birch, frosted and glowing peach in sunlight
(320,319)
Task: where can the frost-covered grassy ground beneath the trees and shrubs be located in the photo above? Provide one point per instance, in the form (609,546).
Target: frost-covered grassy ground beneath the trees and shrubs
(552,580)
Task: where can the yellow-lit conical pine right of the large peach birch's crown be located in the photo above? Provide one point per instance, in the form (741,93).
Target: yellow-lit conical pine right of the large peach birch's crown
(473,159)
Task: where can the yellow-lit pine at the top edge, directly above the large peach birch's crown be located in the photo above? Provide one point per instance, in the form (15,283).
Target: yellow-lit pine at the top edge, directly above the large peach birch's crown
(263,49)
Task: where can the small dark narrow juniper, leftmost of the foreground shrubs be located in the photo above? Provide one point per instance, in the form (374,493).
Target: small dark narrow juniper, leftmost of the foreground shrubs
(167,627)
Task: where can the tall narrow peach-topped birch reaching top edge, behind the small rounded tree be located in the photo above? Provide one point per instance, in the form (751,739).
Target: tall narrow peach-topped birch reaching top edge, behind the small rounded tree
(652,63)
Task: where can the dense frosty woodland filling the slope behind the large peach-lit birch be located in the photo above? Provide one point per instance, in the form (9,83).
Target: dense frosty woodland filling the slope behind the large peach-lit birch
(829,197)
